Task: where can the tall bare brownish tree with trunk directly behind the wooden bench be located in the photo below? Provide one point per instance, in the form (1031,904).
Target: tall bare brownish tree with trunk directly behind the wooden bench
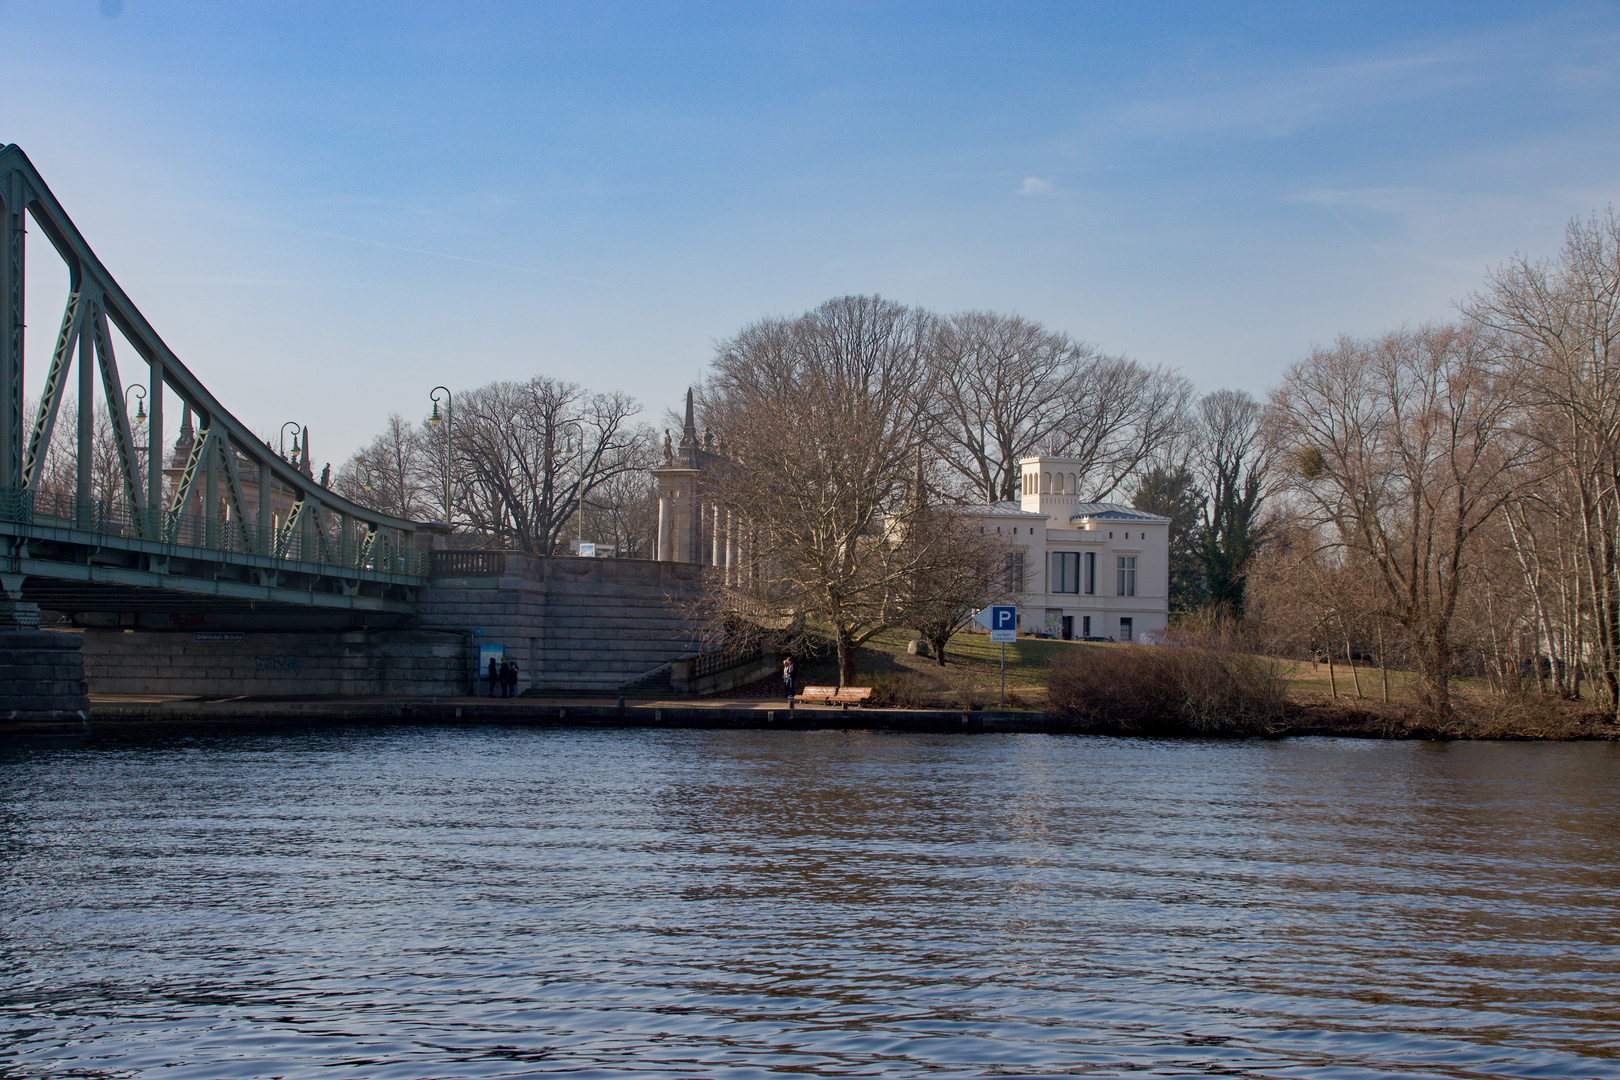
(821,419)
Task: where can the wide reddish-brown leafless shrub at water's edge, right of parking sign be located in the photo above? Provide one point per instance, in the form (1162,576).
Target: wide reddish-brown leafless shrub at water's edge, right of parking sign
(1167,689)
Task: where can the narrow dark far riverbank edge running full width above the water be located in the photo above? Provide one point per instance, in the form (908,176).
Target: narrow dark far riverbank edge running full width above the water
(1305,720)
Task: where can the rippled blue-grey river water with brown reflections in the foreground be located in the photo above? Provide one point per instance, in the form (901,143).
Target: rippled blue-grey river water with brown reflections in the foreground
(508,903)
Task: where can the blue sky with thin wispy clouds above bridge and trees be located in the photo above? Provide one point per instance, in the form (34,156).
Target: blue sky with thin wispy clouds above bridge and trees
(330,208)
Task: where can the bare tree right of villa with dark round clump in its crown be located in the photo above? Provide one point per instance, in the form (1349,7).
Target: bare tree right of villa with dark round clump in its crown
(1402,444)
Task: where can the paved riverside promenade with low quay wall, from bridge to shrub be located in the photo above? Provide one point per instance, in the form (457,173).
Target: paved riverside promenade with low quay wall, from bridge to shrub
(129,712)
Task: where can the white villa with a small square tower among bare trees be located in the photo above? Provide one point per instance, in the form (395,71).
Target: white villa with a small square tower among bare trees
(1083,569)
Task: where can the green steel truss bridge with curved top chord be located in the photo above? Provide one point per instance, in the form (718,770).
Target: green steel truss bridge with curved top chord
(228,527)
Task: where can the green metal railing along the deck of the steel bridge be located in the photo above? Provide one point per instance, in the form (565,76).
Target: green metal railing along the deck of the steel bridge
(380,551)
